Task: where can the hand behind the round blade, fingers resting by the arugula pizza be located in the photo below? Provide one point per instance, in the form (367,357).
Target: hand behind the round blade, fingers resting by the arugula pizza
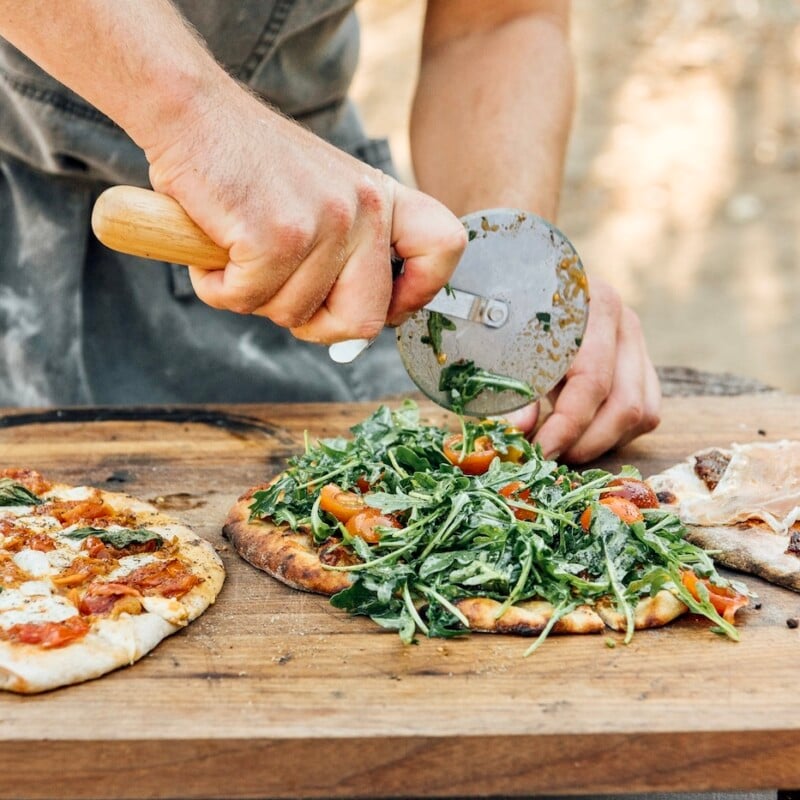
(610,394)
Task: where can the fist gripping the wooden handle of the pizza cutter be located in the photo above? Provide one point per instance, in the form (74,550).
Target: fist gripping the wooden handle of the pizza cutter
(309,229)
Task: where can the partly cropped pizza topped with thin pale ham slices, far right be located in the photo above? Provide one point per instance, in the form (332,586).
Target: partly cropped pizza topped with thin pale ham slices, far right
(742,503)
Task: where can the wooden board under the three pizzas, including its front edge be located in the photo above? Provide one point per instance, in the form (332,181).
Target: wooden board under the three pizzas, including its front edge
(273,693)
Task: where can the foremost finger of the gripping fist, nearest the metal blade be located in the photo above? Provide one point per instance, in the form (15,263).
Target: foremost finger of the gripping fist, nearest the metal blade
(431,239)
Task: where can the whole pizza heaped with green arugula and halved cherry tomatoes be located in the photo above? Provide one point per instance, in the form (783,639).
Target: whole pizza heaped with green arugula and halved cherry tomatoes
(428,531)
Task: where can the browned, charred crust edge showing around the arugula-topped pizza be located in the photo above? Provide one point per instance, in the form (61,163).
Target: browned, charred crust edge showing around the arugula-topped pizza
(291,557)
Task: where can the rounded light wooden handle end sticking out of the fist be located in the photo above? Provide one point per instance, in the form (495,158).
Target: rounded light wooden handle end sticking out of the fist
(144,223)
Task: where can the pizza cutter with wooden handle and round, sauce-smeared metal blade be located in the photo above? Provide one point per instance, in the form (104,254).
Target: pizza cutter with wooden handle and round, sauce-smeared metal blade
(516,305)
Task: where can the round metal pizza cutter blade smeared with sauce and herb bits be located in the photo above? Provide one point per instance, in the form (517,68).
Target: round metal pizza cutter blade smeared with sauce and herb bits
(518,303)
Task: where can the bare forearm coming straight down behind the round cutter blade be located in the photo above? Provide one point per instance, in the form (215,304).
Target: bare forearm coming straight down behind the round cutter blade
(492,113)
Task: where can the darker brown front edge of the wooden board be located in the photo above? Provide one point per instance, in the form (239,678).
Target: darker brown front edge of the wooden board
(359,767)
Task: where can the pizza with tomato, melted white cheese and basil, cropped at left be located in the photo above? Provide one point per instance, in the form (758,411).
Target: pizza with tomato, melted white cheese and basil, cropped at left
(90,581)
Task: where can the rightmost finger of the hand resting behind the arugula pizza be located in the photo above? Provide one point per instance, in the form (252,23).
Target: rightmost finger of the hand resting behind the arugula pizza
(632,405)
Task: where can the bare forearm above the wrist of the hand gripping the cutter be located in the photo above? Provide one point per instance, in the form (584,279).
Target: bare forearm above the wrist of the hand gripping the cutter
(135,60)
